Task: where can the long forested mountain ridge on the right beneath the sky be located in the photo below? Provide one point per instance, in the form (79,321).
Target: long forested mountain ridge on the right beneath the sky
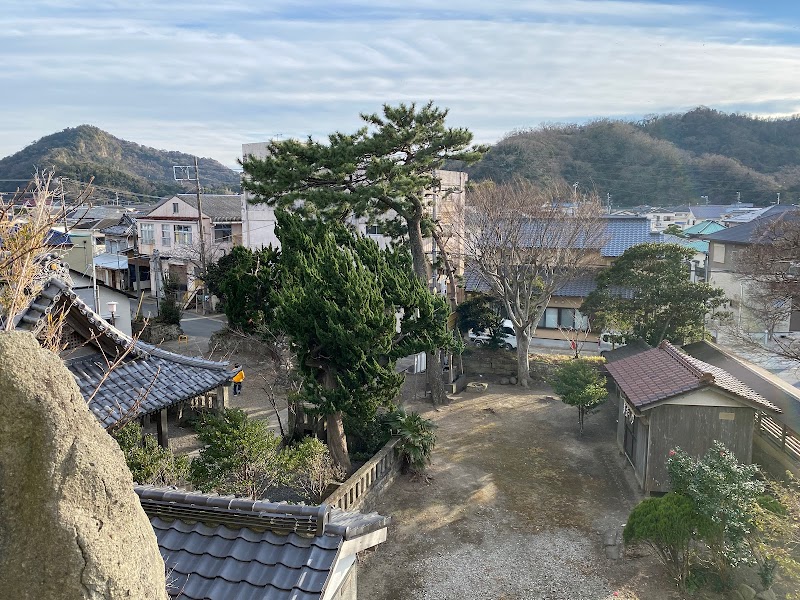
(662,160)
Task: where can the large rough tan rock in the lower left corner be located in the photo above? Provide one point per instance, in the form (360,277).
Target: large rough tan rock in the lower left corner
(71,525)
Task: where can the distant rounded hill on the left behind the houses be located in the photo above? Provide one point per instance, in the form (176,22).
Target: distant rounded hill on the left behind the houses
(85,151)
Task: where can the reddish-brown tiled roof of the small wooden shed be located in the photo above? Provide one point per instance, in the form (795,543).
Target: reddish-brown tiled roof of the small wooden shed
(660,373)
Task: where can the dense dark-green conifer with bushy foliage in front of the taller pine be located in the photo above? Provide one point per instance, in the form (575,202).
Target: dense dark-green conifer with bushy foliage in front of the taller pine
(338,303)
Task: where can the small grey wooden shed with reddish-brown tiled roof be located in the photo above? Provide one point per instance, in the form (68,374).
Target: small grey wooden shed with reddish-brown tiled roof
(668,399)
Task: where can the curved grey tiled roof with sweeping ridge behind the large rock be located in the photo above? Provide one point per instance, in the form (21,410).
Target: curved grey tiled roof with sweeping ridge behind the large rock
(147,380)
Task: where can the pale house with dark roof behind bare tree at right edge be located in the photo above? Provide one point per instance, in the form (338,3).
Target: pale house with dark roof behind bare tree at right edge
(724,248)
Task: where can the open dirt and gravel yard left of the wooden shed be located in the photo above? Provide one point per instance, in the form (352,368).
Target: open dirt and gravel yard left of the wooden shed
(516,508)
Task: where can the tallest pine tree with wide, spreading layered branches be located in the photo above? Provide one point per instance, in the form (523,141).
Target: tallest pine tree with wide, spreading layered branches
(384,168)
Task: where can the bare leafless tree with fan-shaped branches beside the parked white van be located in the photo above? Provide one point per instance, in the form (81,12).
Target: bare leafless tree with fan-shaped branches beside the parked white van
(526,241)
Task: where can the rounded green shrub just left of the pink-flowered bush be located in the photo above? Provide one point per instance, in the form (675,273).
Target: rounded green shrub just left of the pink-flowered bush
(668,526)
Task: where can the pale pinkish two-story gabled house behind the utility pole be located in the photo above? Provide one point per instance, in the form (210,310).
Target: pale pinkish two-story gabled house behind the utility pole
(170,236)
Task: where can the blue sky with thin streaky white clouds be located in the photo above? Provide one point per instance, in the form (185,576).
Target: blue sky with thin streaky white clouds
(206,76)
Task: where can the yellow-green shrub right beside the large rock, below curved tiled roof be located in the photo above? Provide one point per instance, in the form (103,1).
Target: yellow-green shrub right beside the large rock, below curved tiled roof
(150,463)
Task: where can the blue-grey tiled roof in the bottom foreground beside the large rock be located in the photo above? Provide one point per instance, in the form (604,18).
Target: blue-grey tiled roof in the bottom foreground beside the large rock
(220,548)
